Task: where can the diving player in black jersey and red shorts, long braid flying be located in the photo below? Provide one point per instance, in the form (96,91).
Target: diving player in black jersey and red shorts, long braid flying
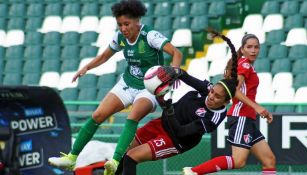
(183,123)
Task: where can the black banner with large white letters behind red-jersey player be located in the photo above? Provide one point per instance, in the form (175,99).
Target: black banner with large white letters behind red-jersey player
(286,135)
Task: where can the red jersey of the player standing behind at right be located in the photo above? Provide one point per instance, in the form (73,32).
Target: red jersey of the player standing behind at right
(248,88)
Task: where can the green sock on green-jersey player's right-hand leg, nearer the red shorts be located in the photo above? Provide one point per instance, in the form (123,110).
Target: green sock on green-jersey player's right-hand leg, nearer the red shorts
(125,139)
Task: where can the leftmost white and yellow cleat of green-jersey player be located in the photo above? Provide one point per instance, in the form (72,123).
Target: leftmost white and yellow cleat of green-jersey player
(65,161)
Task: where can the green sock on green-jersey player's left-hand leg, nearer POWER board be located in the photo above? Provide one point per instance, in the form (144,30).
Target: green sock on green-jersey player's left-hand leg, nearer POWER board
(84,136)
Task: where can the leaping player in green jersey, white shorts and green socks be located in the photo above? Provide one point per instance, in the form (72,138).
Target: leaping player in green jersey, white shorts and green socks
(143,48)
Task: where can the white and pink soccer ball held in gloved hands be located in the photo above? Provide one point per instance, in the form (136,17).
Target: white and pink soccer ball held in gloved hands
(153,84)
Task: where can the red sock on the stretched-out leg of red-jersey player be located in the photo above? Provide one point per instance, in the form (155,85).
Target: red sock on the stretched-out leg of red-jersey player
(214,165)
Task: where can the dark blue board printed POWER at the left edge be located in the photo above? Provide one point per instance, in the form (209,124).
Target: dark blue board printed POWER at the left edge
(40,121)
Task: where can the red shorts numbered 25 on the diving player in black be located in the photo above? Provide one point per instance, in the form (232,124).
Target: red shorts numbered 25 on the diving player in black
(157,138)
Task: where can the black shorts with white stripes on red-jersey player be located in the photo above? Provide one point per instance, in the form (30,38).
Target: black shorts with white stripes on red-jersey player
(243,132)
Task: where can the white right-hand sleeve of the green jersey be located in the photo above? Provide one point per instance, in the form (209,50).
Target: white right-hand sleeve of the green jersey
(156,40)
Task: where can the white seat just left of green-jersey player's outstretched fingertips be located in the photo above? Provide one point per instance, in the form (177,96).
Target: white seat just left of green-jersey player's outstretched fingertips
(65,80)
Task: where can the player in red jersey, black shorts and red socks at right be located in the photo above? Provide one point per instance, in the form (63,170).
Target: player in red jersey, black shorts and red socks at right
(243,135)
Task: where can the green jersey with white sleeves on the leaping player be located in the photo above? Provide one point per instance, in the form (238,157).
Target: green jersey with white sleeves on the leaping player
(144,53)
